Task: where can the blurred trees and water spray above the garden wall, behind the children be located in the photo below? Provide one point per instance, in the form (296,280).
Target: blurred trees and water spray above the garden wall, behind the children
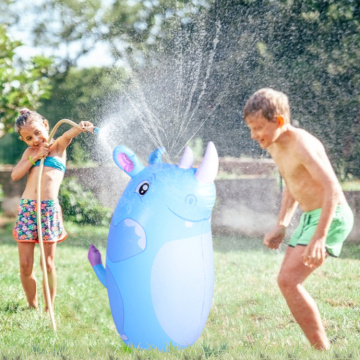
(165,72)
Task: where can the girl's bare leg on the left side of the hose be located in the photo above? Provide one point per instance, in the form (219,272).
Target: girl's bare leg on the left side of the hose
(27,276)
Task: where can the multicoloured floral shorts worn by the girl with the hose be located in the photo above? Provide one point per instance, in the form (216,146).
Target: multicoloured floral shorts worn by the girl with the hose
(25,229)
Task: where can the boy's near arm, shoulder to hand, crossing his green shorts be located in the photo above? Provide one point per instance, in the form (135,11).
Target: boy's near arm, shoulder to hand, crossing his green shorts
(318,165)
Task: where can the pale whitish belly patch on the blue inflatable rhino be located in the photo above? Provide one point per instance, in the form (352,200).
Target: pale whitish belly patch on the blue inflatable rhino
(182,282)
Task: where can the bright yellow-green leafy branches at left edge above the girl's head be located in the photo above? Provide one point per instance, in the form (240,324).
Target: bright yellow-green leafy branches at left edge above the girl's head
(23,84)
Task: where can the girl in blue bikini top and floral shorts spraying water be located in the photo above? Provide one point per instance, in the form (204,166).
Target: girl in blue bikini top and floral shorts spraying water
(33,129)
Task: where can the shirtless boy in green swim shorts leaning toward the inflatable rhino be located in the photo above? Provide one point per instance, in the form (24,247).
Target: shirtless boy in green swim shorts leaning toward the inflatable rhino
(311,183)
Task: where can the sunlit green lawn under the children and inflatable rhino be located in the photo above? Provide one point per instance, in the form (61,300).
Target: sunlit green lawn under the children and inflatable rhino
(248,319)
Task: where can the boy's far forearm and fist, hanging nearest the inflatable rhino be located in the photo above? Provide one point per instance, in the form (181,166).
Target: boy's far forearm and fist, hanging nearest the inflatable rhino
(274,238)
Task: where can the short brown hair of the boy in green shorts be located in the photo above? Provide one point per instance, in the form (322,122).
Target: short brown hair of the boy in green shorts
(270,102)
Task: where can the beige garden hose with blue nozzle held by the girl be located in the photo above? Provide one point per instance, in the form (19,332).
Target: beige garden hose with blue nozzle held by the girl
(38,210)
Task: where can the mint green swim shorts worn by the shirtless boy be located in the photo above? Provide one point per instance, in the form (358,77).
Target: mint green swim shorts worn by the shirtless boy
(340,228)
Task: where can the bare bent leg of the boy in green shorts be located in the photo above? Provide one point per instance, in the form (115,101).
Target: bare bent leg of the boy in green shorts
(292,274)
